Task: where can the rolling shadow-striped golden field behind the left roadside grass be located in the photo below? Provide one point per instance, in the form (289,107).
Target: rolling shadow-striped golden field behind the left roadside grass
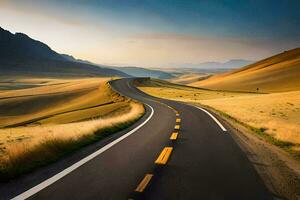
(57,101)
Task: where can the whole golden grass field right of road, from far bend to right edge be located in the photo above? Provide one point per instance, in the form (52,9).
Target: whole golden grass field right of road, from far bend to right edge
(278,113)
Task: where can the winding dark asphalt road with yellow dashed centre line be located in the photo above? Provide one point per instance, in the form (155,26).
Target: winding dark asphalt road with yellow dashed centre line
(205,162)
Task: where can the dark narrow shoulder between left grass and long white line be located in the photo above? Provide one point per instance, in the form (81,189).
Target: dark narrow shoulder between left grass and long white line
(27,181)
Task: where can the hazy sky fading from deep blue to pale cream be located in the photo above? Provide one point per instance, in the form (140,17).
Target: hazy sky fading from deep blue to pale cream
(156,33)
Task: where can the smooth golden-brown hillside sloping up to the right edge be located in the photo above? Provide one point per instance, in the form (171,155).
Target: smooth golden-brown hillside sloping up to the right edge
(274,74)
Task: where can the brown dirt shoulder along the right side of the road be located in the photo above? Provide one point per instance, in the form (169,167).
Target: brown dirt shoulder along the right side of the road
(279,171)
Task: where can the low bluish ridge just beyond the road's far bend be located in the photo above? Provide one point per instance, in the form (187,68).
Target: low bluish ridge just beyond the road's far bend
(142,72)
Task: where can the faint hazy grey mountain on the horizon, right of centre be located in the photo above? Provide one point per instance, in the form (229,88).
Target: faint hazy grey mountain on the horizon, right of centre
(231,64)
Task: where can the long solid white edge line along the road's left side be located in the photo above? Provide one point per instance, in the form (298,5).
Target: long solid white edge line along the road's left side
(68,170)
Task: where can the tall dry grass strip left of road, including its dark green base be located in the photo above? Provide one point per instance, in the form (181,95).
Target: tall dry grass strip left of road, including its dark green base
(44,144)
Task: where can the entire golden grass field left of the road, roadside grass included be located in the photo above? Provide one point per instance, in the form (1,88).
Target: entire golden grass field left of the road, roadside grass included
(36,111)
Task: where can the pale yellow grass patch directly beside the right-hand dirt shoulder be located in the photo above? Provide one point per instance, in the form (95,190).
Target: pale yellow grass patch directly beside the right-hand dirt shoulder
(278,113)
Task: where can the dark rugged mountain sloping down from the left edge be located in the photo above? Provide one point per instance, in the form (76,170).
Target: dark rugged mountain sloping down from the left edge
(20,54)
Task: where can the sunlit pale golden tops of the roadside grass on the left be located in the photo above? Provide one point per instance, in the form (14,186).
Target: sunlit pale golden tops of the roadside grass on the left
(17,140)
